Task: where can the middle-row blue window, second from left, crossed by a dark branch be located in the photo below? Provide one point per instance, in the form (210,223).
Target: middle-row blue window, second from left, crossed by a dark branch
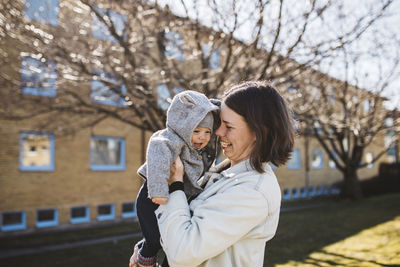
(107,90)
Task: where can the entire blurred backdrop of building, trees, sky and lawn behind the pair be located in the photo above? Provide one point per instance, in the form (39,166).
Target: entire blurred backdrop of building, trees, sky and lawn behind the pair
(84,84)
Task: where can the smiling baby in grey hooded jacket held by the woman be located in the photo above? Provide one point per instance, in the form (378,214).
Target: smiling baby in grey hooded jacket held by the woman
(189,135)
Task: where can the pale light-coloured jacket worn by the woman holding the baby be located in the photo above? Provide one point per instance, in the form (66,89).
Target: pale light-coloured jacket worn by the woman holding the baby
(228,224)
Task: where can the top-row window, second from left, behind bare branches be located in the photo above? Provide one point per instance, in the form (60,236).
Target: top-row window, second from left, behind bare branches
(100,30)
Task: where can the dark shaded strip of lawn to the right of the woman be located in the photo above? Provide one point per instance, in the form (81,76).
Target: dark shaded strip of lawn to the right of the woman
(302,232)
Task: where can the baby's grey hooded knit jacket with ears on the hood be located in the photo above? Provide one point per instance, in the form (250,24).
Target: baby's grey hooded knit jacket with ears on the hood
(188,110)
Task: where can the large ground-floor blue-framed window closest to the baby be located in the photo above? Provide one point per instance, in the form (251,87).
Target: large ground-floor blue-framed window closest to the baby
(107,153)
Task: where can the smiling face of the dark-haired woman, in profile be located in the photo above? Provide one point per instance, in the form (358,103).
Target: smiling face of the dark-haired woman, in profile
(237,140)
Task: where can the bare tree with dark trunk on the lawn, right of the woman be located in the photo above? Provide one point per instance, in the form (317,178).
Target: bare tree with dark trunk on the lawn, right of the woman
(347,119)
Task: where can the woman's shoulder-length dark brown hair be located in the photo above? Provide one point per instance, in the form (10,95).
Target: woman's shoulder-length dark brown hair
(268,116)
